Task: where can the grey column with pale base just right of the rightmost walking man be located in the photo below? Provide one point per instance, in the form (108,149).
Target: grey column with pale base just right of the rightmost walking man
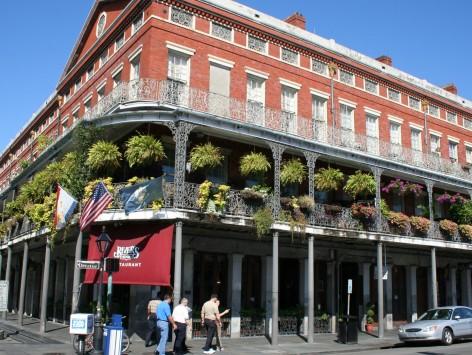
(236,276)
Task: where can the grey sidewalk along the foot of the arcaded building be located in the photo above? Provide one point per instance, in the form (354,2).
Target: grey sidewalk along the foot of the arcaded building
(57,341)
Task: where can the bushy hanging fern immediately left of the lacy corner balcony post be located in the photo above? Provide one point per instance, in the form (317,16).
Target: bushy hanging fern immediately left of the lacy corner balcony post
(143,150)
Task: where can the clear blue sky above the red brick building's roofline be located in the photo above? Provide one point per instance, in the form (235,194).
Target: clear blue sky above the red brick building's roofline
(429,39)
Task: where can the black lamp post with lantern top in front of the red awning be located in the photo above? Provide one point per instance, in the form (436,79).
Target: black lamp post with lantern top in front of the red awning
(103,243)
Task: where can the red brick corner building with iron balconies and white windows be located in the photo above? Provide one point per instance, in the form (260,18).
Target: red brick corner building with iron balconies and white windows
(216,69)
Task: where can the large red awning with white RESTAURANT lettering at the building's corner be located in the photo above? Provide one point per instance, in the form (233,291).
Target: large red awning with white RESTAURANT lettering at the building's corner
(144,253)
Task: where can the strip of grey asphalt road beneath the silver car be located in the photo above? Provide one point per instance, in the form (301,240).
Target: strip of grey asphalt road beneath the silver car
(461,348)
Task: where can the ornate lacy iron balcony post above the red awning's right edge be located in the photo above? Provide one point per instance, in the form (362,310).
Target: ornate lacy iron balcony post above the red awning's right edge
(181,132)
